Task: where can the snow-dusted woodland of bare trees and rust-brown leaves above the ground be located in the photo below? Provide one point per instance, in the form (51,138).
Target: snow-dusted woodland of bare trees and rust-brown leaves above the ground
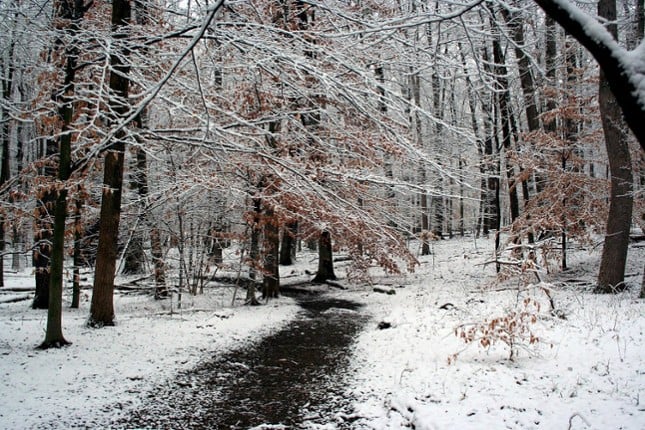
(143,138)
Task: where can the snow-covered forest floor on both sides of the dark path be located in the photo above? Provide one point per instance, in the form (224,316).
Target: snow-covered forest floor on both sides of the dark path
(577,366)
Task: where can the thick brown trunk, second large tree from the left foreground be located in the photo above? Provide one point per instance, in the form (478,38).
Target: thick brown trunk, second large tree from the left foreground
(102,307)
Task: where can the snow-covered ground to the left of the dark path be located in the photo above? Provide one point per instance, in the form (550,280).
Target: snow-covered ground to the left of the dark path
(111,368)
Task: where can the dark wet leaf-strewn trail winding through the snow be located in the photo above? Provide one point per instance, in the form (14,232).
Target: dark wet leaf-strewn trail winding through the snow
(295,378)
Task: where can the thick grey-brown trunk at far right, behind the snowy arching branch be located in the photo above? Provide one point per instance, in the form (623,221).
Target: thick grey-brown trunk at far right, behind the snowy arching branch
(614,254)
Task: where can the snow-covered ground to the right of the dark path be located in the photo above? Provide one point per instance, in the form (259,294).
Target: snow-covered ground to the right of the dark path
(585,372)
